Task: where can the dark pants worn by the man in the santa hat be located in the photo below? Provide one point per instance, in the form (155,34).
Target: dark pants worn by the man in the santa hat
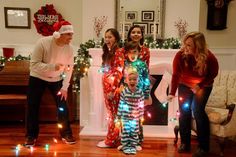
(34,95)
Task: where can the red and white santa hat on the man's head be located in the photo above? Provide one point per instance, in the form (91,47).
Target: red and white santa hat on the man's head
(62,27)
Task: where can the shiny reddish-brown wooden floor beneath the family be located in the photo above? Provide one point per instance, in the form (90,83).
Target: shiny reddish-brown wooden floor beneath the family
(12,134)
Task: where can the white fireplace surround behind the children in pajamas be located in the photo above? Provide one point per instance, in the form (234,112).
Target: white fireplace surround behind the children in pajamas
(92,108)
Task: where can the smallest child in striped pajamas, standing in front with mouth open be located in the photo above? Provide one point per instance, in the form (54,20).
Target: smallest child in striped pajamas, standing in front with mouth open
(130,112)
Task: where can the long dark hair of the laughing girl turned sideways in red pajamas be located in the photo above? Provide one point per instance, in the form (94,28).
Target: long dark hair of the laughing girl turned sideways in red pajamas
(109,54)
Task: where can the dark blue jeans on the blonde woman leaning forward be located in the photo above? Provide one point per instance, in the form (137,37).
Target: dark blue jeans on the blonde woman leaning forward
(195,103)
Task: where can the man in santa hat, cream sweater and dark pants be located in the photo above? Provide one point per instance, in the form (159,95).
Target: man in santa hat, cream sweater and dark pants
(51,67)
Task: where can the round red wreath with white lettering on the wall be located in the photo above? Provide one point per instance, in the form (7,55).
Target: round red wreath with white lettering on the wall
(44,19)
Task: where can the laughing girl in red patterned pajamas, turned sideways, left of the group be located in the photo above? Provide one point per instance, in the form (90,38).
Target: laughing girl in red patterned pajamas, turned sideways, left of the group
(113,64)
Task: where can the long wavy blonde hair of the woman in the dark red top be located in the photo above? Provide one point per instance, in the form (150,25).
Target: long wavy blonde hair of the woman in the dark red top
(201,50)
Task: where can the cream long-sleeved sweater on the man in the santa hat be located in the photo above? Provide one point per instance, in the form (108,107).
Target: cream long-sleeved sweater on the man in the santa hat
(44,57)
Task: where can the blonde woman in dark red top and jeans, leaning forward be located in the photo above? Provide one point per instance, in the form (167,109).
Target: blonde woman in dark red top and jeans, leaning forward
(194,70)
